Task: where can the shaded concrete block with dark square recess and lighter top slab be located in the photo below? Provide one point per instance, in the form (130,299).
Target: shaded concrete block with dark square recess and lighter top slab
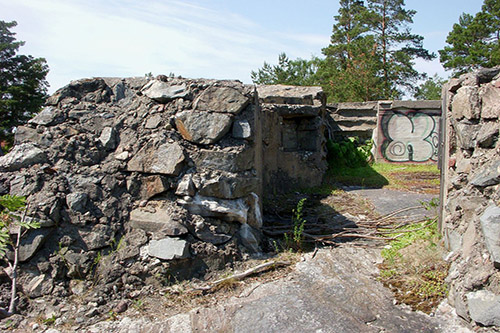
(294,154)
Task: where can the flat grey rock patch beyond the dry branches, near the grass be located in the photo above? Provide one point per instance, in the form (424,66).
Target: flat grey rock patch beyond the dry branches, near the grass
(387,201)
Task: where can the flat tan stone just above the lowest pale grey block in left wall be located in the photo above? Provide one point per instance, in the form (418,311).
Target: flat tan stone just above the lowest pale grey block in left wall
(160,221)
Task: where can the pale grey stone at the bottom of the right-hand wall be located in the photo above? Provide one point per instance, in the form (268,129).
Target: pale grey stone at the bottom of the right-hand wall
(484,307)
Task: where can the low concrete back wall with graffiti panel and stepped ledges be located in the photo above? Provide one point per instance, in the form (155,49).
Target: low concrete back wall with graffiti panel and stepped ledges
(402,131)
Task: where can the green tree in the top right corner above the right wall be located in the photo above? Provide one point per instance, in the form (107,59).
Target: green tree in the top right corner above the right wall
(474,40)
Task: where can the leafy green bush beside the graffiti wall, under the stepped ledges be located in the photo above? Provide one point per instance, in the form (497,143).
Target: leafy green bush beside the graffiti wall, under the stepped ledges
(349,153)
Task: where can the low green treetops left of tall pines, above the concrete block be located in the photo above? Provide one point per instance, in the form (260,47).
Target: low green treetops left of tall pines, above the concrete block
(297,72)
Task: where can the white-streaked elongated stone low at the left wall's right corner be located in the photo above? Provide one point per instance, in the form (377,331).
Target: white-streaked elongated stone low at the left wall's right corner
(228,210)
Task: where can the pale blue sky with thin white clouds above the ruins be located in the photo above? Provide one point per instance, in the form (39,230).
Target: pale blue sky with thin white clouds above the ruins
(220,39)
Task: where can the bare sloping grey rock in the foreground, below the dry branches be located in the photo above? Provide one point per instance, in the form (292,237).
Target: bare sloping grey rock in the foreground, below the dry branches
(334,291)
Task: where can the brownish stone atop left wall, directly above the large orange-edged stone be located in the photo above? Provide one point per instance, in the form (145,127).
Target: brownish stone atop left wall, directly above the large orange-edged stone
(221,99)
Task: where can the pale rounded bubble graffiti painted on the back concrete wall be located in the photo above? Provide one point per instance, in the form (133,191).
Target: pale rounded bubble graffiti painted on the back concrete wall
(410,136)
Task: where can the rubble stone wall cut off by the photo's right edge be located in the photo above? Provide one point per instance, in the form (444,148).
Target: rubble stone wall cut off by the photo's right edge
(470,183)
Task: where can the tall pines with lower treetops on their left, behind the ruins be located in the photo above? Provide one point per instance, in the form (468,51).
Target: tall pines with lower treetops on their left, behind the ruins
(370,56)
